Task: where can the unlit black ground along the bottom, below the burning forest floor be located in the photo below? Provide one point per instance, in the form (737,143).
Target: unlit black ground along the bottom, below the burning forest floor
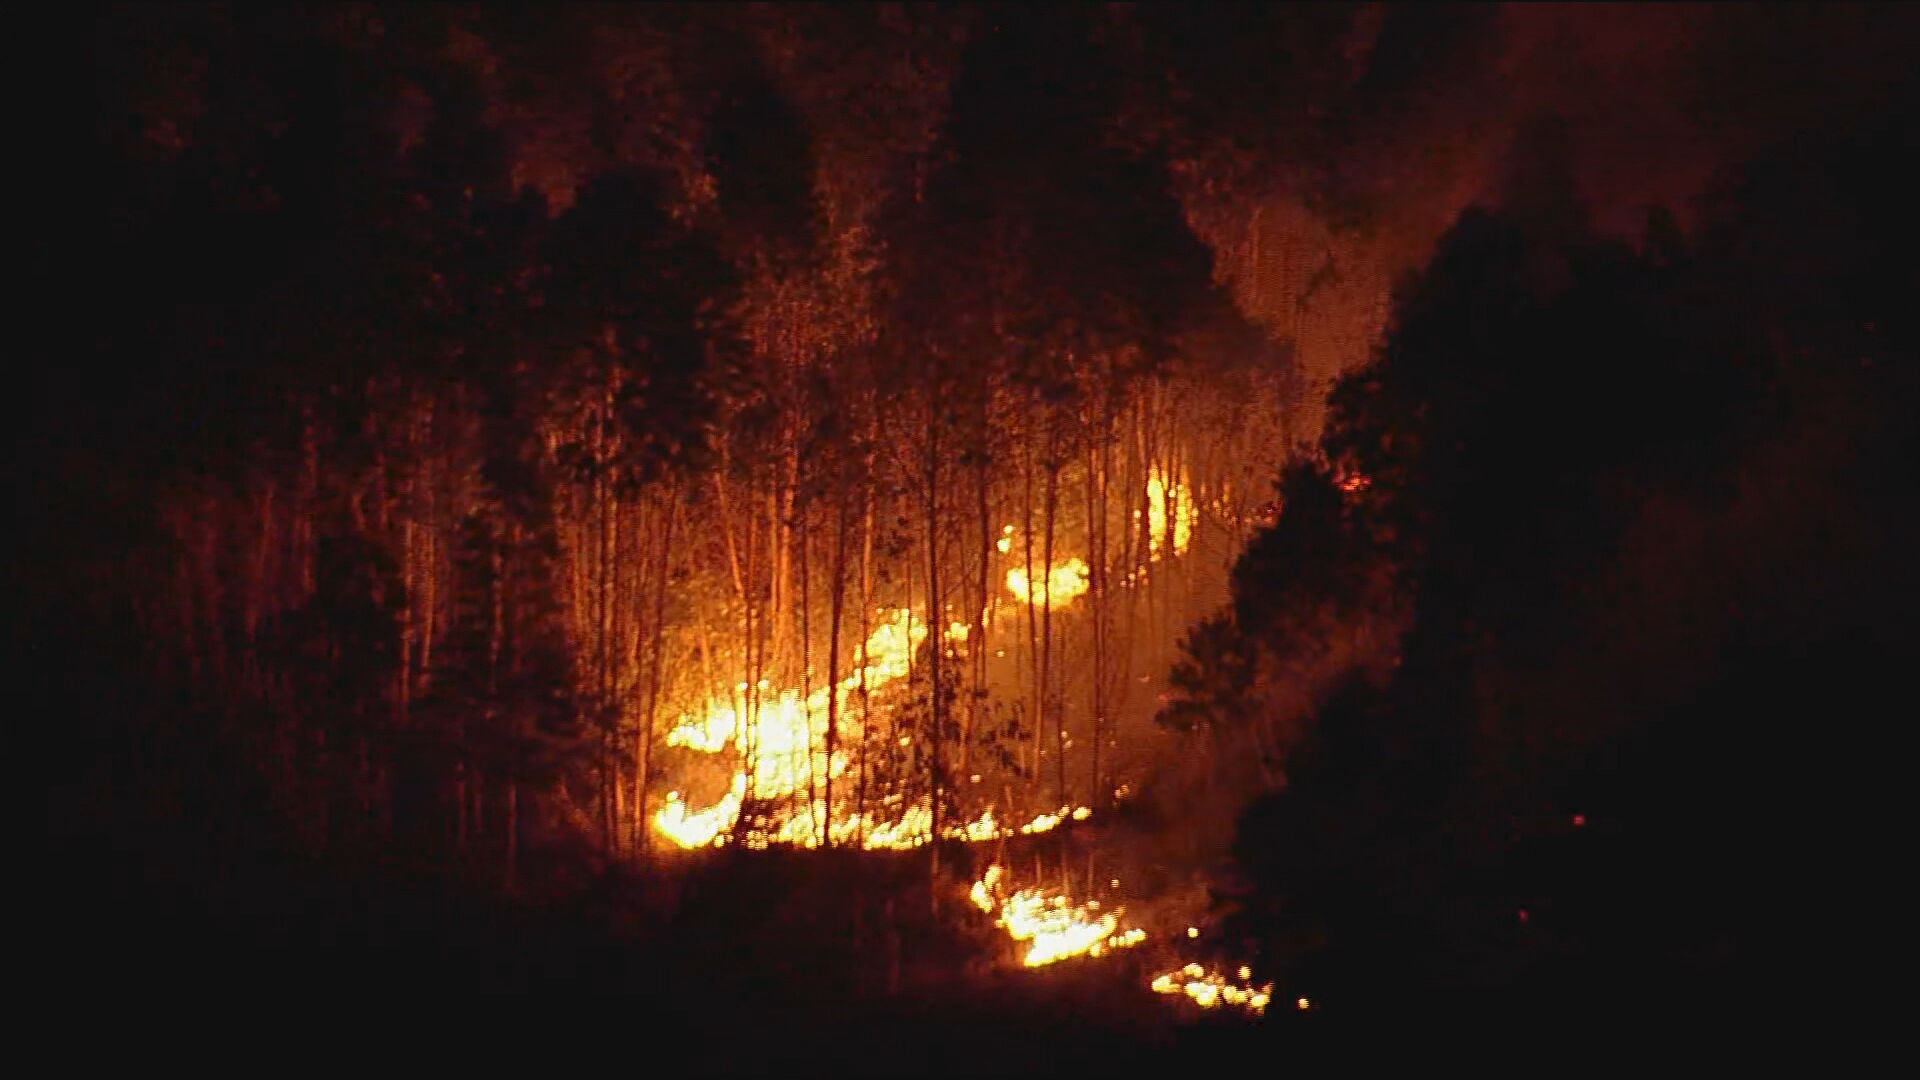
(763,966)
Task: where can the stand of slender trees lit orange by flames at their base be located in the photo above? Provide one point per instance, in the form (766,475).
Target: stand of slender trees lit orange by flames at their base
(540,495)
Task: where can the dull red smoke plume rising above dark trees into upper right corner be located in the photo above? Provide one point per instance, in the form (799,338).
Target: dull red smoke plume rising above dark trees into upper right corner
(1447,109)
